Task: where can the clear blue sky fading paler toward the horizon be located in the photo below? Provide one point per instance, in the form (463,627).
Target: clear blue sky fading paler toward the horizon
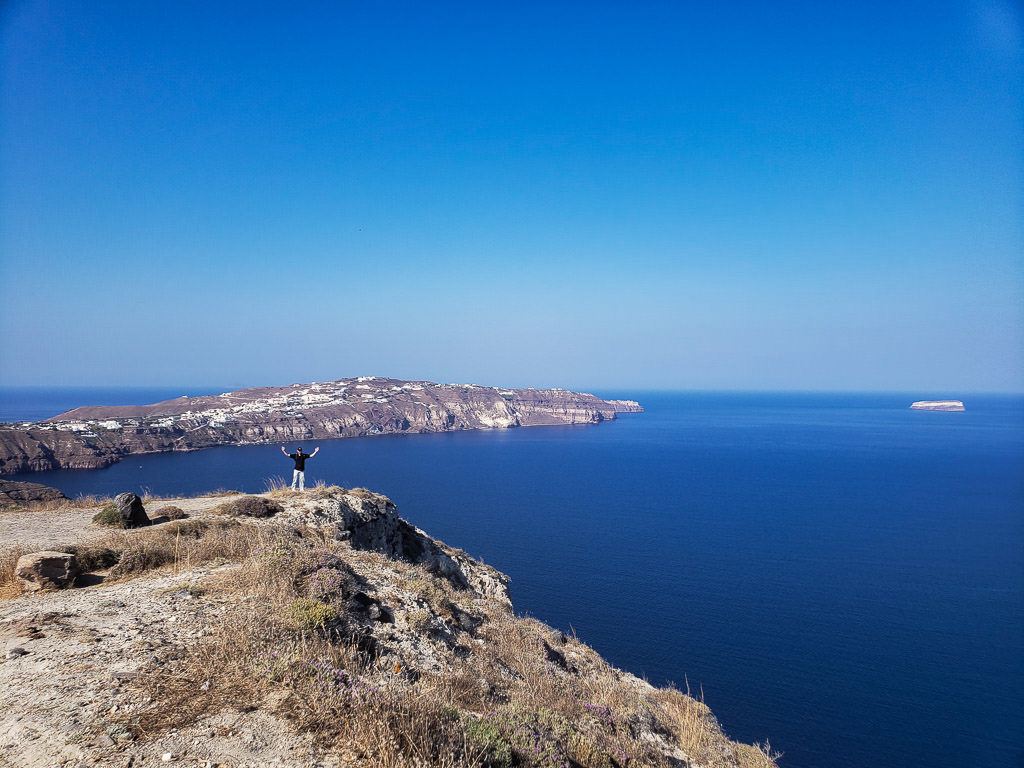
(743,196)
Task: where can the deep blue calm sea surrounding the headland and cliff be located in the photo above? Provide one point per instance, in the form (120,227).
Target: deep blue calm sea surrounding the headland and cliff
(840,575)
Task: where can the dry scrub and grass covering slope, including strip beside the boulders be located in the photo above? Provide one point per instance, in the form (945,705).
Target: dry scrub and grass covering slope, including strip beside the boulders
(473,687)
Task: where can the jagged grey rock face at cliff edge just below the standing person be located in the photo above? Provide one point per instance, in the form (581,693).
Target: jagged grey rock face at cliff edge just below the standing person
(370,522)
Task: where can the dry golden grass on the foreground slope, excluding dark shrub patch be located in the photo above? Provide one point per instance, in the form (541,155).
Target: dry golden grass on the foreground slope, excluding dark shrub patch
(525,697)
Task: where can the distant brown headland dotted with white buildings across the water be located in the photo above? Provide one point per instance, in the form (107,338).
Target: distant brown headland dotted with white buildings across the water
(98,437)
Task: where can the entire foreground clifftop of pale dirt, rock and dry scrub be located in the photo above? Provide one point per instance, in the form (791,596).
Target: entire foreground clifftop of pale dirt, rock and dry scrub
(329,633)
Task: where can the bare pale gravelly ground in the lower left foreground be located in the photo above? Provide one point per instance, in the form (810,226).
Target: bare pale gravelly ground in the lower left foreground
(67,656)
